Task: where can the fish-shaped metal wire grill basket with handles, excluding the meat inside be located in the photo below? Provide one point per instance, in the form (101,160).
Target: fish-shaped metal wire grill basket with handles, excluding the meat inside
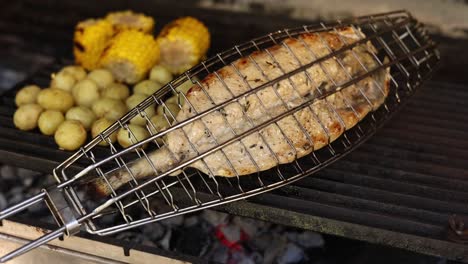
(401,46)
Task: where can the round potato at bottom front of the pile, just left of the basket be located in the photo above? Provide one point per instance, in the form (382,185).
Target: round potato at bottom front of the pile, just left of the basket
(70,135)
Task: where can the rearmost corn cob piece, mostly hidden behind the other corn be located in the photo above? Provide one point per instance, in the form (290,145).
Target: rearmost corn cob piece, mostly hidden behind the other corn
(125,20)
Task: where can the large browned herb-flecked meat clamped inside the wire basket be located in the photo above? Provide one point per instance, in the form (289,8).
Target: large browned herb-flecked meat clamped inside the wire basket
(293,136)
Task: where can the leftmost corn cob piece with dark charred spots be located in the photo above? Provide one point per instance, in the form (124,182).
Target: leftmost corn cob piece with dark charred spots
(90,38)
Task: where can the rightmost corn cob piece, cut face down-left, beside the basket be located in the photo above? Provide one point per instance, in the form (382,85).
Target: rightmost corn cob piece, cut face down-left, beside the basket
(183,43)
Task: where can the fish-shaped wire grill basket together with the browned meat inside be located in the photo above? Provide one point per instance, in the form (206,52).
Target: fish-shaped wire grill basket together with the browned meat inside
(256,117)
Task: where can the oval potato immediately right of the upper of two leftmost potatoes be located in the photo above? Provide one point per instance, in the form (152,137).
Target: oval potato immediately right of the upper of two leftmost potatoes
(55,99)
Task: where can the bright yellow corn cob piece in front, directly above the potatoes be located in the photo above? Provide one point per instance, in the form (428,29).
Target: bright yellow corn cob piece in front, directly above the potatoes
(130,55)
